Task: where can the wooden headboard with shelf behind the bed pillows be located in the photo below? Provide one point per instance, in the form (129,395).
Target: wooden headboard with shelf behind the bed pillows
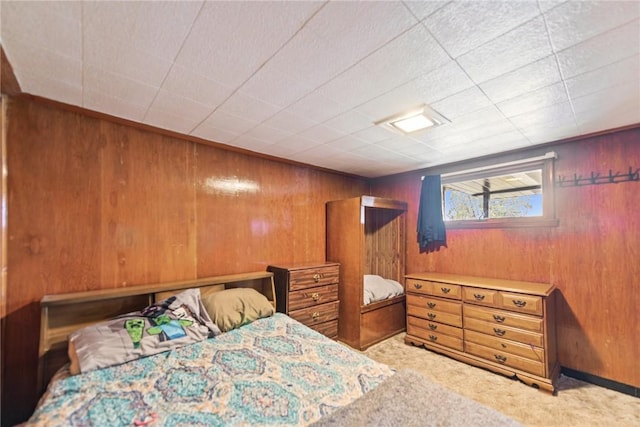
(62,314)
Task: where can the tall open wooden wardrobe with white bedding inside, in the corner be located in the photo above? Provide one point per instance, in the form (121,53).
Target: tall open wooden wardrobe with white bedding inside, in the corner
(366,235)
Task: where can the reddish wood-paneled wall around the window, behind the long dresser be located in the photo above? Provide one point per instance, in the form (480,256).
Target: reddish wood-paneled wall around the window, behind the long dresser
(592,256)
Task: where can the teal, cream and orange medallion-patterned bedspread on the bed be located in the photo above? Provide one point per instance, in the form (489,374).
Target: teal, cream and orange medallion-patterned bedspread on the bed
(274,371)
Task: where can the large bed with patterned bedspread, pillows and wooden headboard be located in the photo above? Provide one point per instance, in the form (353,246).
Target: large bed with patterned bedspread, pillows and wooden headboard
(262,368)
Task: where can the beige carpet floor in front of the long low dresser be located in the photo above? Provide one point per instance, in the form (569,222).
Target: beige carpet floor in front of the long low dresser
(577,403)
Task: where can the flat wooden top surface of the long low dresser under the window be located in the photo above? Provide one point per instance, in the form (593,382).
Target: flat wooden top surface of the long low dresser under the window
(535,288)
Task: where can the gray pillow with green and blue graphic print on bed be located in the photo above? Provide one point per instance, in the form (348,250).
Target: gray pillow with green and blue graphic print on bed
(174,322)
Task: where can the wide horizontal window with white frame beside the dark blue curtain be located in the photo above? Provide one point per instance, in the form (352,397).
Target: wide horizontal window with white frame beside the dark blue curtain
(515,194)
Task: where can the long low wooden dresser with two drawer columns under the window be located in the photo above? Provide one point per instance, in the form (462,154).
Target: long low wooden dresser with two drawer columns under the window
(502,325)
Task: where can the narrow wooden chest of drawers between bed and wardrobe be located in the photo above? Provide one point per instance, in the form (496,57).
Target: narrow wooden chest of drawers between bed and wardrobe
(309,294)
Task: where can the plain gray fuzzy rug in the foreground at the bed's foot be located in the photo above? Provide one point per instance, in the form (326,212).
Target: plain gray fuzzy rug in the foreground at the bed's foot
(409,399)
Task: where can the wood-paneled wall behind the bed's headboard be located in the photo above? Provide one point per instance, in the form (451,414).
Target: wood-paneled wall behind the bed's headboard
(96,204)
